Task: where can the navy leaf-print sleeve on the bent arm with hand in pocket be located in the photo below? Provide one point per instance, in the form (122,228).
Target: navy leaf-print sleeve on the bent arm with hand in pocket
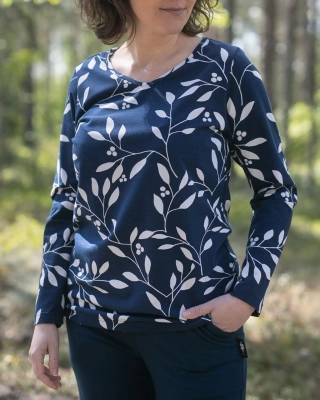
(256,147)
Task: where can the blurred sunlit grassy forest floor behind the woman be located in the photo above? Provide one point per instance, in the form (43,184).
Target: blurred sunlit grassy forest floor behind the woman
(283,344)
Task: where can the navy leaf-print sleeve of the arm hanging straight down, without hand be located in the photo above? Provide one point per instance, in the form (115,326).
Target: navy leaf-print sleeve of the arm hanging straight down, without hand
(59,232)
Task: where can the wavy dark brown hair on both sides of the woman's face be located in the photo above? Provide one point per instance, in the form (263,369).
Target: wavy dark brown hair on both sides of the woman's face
(110,18)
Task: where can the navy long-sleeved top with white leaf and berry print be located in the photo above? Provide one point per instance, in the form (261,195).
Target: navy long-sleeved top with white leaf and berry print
(138,229)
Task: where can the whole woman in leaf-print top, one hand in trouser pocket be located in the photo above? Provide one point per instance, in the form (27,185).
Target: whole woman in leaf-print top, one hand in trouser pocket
(136,252)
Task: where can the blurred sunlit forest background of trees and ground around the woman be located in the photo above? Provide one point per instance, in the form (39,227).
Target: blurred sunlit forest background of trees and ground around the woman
(40,44)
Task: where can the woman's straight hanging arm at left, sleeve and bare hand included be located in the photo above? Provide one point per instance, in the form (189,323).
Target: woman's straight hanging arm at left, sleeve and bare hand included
(57,248)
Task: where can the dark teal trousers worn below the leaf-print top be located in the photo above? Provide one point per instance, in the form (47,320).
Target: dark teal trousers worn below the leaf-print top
(203,363)
